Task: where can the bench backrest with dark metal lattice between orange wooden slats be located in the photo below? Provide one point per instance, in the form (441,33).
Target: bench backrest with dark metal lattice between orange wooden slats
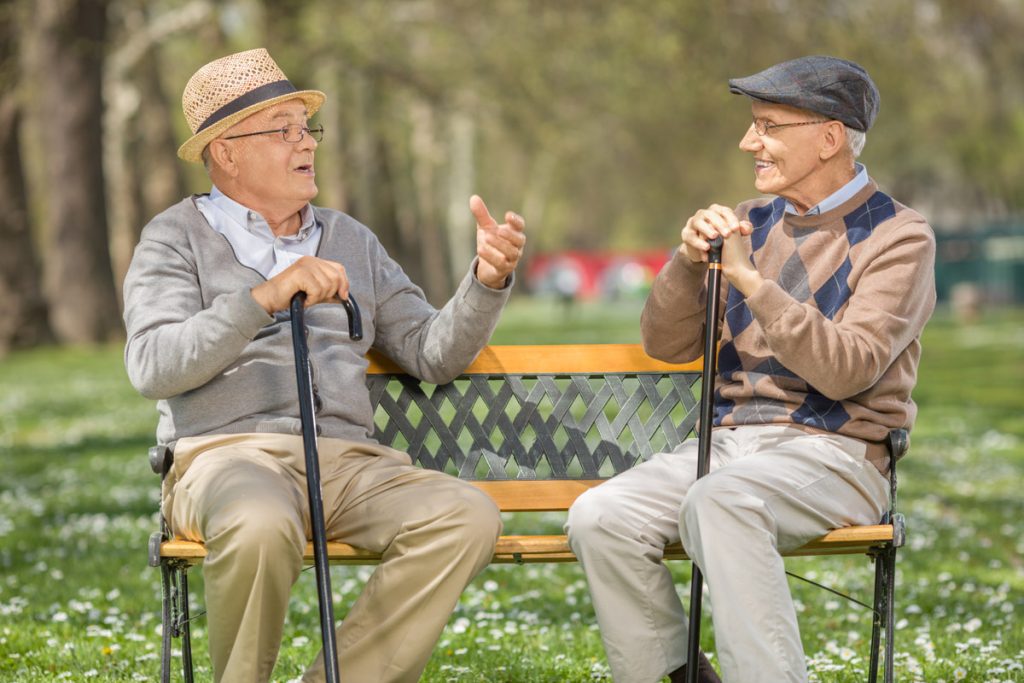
(562,418)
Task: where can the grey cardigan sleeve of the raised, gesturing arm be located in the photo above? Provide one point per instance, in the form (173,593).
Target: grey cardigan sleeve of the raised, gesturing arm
(434,346)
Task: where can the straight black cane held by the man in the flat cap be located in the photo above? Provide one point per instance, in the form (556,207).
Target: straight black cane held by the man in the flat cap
(704,438)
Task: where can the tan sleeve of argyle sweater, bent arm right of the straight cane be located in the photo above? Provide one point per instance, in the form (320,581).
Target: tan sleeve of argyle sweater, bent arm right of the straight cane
(893,300)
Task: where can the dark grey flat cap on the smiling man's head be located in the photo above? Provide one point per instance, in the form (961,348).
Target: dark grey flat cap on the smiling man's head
(830,87)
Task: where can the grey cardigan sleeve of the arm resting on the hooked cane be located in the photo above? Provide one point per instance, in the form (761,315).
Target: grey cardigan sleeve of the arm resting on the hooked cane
(175,345)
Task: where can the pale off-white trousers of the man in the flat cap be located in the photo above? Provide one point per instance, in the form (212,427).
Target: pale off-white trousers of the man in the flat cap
(771,489)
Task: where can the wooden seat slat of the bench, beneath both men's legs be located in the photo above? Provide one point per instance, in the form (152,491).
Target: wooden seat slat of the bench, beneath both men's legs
(556,548)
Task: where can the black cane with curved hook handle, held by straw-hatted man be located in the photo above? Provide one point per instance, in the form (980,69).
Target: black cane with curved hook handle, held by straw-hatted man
(304,374)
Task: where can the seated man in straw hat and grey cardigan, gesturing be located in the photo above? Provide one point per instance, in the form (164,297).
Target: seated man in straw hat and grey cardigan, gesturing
(206,309)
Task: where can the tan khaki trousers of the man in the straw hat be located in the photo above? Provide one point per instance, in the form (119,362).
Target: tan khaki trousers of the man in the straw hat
(245,496)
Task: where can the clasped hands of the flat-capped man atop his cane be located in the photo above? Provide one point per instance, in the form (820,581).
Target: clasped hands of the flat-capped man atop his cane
(719,221)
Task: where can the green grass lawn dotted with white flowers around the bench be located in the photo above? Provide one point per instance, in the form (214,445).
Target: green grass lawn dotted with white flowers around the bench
(78,500)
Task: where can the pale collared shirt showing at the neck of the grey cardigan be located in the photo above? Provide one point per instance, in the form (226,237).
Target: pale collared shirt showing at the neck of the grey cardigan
(250,236)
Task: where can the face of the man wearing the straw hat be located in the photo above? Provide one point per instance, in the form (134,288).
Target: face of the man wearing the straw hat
(270,169)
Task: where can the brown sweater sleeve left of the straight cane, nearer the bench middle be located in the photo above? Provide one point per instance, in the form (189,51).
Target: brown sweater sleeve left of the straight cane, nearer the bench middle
(673,319)
